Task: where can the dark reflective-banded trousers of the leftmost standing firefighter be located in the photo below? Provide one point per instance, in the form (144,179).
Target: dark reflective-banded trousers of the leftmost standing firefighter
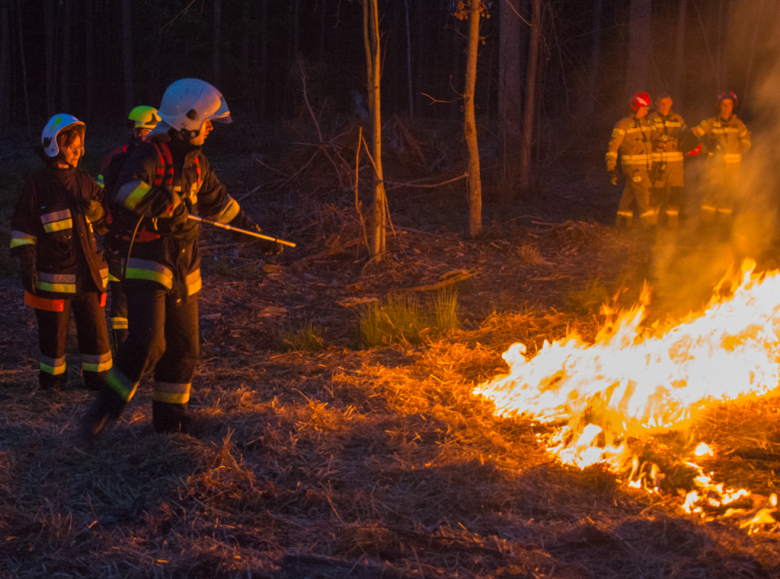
(93,341)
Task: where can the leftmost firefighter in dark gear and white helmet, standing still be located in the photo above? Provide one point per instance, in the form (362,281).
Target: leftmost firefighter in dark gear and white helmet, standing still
(58,212)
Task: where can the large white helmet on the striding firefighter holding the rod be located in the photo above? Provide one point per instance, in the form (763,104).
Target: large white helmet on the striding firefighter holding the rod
(190,102)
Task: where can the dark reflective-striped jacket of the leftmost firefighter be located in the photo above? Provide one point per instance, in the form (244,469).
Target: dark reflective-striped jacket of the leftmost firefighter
(49,228)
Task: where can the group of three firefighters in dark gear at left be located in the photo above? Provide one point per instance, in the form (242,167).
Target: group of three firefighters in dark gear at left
(148,201)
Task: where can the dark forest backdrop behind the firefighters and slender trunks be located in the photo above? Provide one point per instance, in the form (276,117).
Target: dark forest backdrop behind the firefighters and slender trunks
(96,59)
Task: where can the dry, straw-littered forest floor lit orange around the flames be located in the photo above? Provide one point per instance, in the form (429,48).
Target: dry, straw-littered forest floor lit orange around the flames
(338,460)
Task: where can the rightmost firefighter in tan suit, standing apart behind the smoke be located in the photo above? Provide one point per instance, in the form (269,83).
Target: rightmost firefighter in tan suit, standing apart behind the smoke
(725,138)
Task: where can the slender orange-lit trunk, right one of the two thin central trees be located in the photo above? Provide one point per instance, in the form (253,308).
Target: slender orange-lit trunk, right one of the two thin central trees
(470,124)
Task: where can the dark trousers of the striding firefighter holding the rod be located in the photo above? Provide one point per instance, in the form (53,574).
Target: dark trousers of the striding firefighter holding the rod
(163,335)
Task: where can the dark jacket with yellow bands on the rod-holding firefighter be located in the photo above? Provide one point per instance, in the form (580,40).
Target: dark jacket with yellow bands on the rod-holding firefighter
(158,186)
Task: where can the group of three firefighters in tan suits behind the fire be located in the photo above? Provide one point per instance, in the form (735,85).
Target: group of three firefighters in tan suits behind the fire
(652,149)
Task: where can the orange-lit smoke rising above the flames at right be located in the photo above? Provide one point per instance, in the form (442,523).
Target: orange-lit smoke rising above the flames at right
(689,264)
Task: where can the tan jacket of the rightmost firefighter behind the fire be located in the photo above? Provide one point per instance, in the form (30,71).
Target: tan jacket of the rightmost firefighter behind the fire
(726,142)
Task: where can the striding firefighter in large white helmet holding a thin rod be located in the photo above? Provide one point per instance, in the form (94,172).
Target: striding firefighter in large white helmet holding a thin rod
(166,179)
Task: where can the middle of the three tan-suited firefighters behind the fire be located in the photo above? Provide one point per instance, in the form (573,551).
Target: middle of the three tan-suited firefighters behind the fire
(666,174)
